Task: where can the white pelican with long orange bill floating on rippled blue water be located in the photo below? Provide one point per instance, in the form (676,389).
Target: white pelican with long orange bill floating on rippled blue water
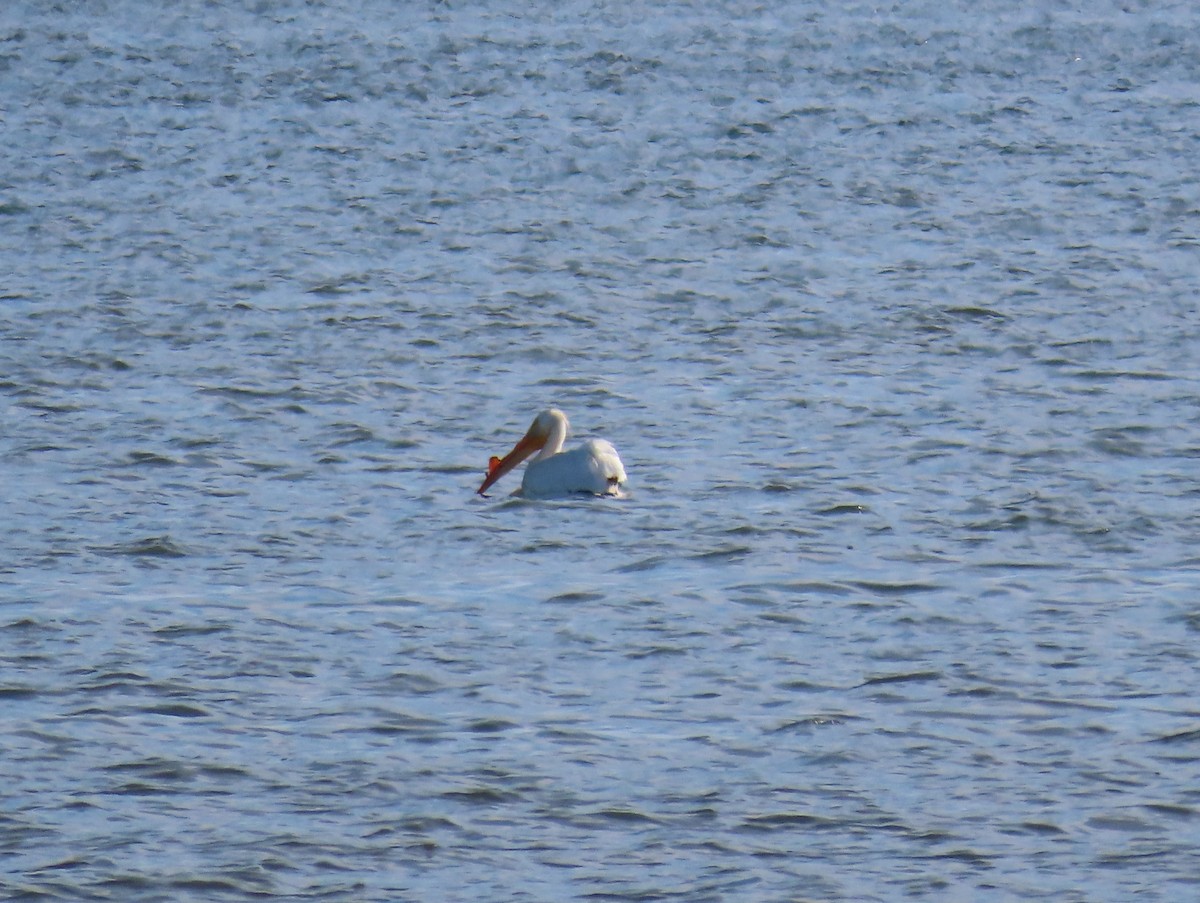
(592,468)
